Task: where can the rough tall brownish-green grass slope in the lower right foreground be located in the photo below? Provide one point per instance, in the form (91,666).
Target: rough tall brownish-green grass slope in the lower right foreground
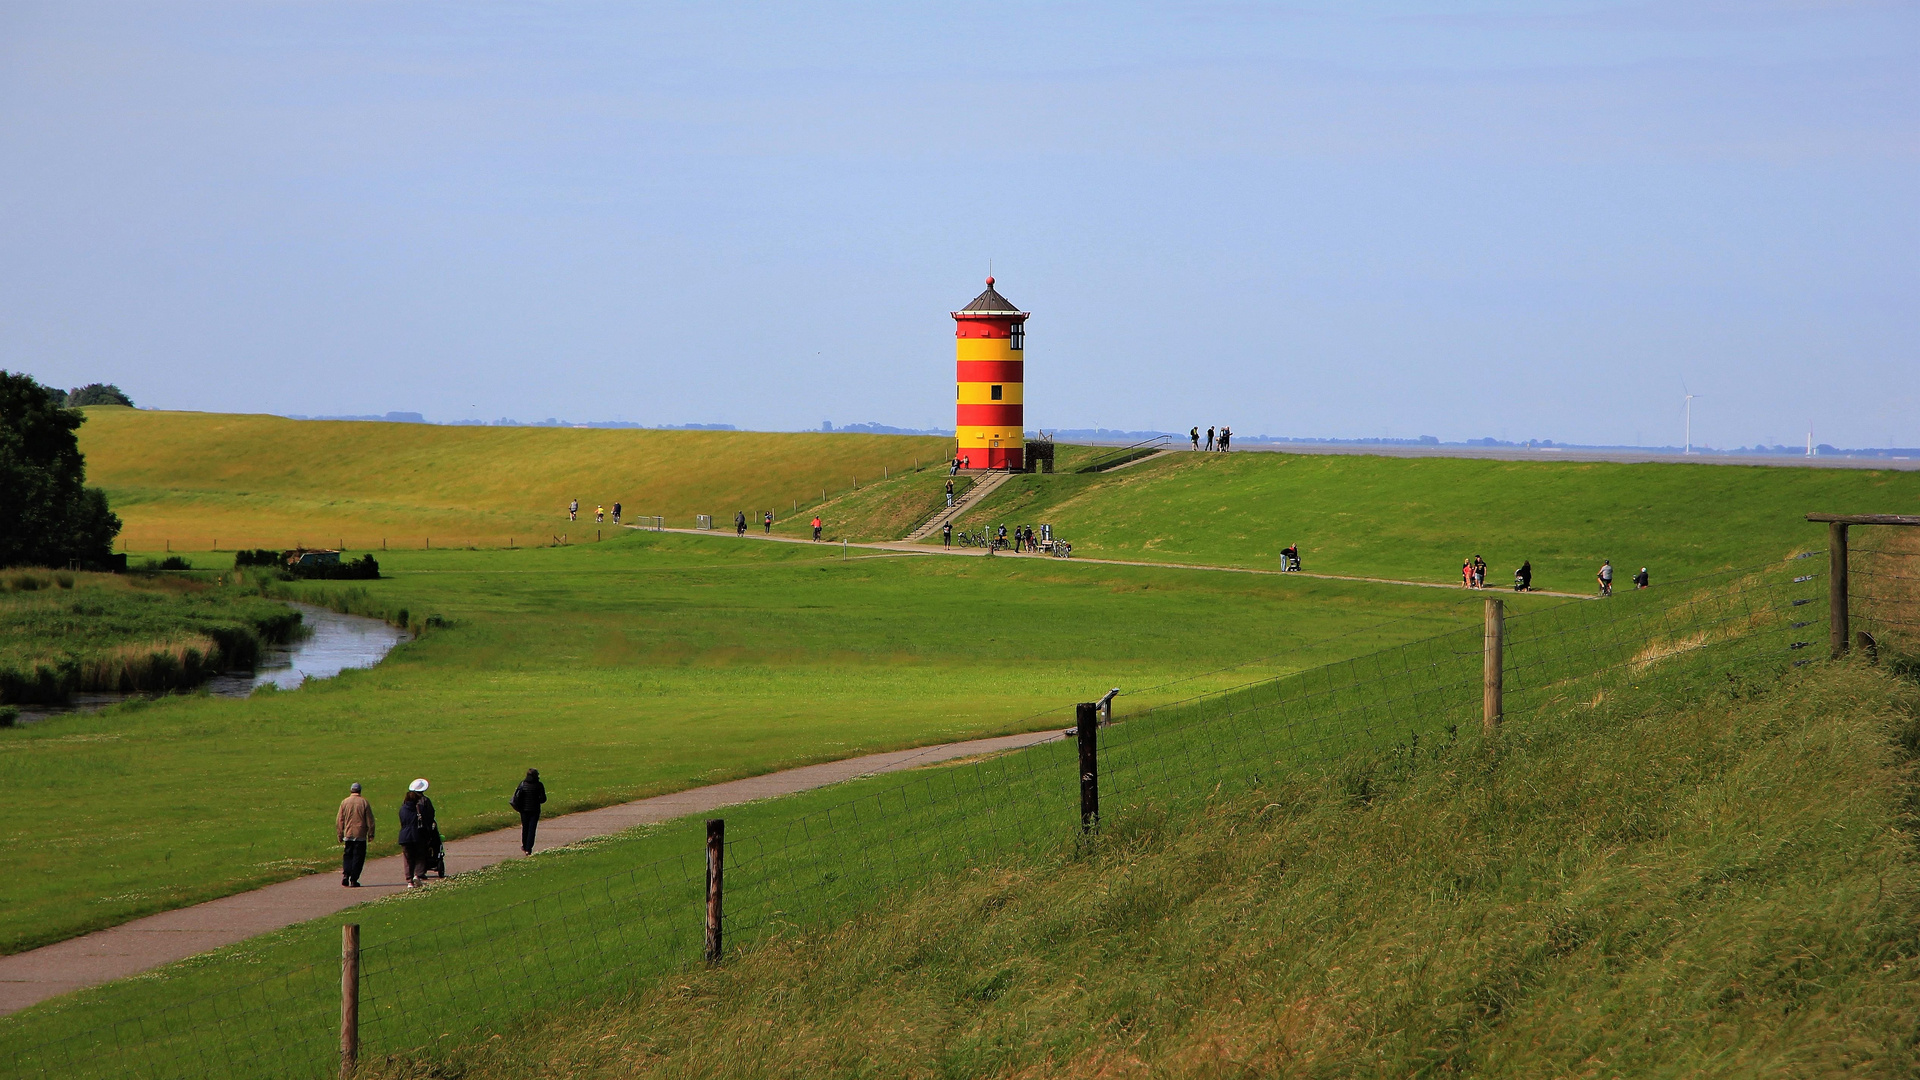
(1662,885)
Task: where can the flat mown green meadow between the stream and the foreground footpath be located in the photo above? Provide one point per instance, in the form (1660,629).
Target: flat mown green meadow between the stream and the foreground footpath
(621,670)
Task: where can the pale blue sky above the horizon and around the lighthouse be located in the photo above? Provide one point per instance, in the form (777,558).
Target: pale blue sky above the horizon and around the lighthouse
(1339,220)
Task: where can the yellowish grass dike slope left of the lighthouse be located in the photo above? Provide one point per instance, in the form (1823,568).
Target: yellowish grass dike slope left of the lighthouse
(199,481)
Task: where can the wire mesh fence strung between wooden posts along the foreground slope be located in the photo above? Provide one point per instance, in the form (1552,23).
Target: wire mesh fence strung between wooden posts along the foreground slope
(823,858)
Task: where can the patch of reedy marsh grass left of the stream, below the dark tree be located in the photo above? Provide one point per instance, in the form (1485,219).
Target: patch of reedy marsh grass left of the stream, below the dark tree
(78,631)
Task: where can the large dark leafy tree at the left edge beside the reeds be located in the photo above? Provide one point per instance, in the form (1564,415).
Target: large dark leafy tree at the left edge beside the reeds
(53,518)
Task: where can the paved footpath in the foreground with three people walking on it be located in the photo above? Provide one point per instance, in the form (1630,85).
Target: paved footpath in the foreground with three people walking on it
(145,945)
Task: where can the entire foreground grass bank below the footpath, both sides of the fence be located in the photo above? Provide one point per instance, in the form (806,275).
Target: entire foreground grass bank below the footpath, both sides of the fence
(1437,875)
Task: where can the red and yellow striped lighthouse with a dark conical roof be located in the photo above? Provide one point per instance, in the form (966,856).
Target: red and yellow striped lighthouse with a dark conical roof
(990,412)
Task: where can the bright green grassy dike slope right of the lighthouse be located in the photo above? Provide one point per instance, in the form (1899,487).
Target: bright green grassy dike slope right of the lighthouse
(1418,518)
